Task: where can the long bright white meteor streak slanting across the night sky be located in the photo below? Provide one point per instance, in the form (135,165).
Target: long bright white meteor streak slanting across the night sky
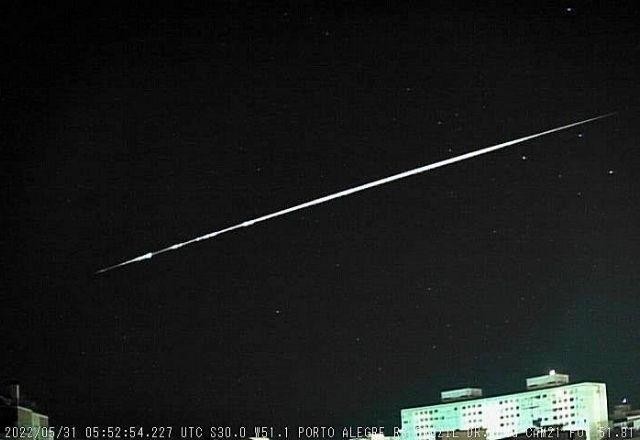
(347,192)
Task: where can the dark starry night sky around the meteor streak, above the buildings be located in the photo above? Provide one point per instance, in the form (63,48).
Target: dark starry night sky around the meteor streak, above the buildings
(127,130)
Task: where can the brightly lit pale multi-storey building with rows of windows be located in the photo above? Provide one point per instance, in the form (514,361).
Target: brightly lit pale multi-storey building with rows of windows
(549,401)
